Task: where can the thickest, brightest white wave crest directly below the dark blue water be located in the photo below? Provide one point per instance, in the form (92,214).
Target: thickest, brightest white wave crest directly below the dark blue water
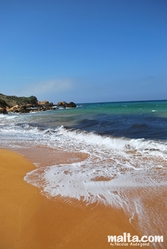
(118,144)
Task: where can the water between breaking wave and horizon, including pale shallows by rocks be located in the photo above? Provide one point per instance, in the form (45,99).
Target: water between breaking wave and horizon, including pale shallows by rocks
(135,120)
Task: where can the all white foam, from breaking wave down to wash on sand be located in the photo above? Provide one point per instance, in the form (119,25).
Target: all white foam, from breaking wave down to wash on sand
(112,162)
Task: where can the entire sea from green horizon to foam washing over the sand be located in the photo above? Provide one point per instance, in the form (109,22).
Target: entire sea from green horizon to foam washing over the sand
(127,147)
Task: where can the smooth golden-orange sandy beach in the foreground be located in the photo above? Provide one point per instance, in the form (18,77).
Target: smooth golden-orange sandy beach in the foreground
(29,220)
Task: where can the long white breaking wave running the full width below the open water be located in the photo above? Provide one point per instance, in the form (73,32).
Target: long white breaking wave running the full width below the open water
(85,141)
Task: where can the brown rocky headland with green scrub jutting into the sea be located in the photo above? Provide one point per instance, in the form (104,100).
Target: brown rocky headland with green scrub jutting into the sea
(28,104)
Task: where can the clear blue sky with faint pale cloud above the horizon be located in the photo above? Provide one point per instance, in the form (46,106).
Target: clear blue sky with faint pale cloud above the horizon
(84,50)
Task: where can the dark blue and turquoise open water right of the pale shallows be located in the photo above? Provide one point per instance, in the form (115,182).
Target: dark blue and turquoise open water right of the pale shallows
(123,119)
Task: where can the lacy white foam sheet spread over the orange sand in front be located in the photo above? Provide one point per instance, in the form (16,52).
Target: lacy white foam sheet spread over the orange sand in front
(83,181)
